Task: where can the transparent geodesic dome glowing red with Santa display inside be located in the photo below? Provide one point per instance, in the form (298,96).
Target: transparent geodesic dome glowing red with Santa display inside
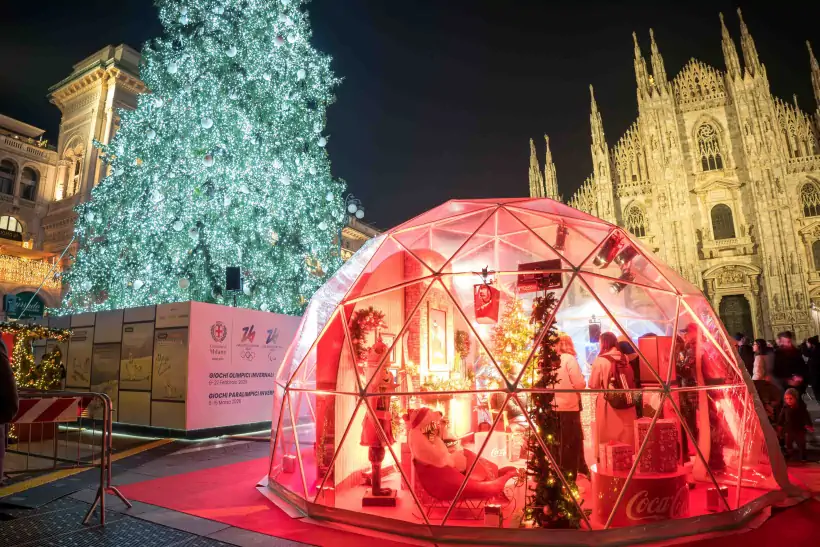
(435,314)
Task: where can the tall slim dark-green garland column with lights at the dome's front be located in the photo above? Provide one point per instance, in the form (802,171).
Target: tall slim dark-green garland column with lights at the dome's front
(550,503)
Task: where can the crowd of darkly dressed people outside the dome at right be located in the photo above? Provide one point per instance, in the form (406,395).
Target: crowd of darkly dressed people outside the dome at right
(782,373)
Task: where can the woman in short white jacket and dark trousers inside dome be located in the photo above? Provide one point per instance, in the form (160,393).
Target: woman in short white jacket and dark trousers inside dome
(571,438)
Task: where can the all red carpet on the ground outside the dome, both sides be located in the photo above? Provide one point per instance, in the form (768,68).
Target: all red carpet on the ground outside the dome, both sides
(227,494)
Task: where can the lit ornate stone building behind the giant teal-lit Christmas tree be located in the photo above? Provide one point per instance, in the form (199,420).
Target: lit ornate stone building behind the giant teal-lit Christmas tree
(41,184)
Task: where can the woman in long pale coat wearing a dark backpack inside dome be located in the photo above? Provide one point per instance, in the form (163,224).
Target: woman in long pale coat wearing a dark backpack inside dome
(610,424)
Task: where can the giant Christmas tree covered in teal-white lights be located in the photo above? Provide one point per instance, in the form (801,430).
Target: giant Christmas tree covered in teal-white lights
(222,164)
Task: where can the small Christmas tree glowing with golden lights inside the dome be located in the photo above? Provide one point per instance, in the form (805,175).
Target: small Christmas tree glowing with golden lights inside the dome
(512,340)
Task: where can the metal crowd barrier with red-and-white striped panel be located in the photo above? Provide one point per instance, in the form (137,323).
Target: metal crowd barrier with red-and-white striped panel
(45,414)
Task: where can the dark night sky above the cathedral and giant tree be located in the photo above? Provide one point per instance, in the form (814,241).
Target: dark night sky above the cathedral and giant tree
(440,97)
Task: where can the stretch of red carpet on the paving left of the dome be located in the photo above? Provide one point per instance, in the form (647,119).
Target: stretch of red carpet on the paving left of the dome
(227,494)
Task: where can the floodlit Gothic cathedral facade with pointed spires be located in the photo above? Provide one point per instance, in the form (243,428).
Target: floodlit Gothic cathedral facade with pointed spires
(721,180)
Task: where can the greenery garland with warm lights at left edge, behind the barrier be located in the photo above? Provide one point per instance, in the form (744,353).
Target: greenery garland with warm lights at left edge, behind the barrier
(27,373)
